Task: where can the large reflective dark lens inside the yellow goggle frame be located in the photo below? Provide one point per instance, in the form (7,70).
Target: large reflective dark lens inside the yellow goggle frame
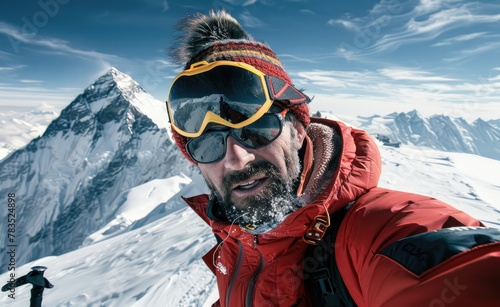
(233,93)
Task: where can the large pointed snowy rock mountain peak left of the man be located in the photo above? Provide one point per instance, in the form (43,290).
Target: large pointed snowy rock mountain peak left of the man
(70,179)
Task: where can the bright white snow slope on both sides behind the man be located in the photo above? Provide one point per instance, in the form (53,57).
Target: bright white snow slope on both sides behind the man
(158,264)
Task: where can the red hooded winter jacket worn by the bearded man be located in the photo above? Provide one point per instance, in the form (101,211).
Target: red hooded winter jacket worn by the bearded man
(267,269)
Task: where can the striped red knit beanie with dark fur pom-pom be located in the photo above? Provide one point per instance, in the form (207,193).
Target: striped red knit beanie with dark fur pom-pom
(217,37)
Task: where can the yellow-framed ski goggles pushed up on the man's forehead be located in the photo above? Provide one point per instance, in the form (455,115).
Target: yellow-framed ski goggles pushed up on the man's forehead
(232,94)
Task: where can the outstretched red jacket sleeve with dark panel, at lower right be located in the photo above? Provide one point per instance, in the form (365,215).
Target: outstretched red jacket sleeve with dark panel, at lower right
(402,249)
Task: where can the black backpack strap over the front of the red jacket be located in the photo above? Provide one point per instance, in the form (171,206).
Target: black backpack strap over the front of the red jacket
(322,277)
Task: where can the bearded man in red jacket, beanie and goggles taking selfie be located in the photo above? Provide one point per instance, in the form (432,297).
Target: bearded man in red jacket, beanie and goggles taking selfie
(280,178)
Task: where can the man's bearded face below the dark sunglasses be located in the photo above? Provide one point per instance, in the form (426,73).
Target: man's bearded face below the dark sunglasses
(255,186)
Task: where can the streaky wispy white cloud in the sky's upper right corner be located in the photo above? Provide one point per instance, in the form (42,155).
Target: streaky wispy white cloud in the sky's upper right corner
(386,28)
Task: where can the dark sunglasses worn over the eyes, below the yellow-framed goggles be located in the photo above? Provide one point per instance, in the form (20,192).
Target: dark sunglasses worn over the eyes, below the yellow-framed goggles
(211,146)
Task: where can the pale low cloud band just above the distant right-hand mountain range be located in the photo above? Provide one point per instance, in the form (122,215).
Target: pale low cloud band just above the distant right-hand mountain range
(399,89)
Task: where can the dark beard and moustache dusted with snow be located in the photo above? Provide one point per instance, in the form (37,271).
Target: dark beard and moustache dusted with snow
(269,207)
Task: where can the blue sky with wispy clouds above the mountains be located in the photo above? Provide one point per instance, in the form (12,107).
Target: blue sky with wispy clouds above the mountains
(354,57)
